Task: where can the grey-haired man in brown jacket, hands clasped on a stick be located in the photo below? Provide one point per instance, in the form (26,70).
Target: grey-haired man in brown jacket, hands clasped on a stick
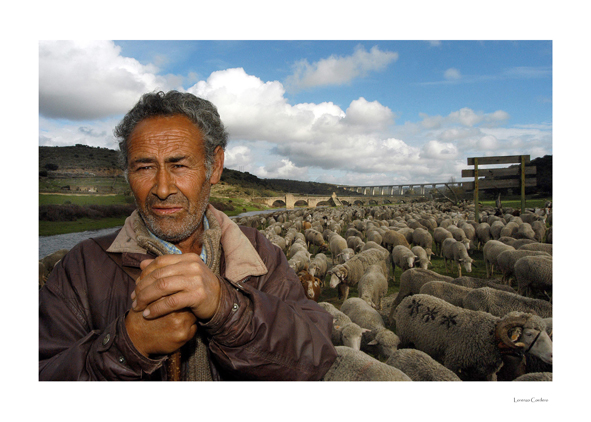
(180,292)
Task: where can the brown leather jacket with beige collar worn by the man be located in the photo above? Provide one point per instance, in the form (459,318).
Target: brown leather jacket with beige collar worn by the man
(264,329)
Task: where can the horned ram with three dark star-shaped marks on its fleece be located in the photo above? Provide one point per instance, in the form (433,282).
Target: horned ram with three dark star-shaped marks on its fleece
(470,343)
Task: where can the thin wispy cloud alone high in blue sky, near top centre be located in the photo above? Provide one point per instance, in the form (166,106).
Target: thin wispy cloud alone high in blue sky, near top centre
(339,70)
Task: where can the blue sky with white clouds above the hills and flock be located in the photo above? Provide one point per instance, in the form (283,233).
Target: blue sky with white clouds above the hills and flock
(351,112)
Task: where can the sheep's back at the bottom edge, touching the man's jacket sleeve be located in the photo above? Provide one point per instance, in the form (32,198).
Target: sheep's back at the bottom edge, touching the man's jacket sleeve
(355,365)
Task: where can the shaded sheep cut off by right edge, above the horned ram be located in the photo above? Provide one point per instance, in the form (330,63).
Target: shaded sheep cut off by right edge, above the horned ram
(534,275)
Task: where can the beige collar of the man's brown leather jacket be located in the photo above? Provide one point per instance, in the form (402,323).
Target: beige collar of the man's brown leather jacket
(242,259)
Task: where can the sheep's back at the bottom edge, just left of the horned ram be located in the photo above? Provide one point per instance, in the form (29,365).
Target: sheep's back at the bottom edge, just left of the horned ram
(419,366)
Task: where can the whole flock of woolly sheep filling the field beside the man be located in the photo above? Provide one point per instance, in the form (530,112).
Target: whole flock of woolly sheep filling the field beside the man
(438,327)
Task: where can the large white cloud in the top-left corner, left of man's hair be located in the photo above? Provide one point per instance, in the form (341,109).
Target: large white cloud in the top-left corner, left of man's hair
(89,80)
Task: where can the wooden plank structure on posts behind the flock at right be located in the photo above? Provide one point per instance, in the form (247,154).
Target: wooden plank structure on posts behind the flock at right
(491,176)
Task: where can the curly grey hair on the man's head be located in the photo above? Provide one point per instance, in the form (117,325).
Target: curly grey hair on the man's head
(201,112)
